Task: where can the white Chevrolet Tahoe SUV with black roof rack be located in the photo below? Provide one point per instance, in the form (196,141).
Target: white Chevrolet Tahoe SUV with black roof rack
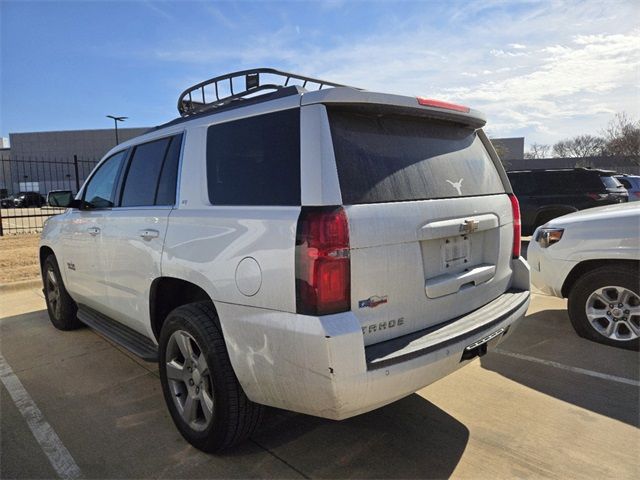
(323,250)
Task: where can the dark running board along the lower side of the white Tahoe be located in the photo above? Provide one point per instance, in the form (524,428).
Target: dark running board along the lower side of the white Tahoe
(124,336)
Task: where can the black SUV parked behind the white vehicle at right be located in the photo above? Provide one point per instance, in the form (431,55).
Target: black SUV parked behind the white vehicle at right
(547,194)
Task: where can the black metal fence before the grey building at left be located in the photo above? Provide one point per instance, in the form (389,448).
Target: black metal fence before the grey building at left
(25,183)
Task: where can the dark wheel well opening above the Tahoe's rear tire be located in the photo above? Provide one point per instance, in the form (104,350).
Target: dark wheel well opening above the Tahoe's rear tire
(168,293)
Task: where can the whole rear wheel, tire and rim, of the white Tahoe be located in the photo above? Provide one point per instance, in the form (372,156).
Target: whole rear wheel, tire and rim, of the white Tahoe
(202,393)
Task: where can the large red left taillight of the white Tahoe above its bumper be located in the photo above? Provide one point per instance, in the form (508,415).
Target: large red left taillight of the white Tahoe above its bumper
(323,266)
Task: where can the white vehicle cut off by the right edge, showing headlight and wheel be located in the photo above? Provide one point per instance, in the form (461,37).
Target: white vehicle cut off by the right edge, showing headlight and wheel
(592,258)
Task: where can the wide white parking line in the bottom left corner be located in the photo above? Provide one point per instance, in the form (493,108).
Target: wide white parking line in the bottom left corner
(58,455)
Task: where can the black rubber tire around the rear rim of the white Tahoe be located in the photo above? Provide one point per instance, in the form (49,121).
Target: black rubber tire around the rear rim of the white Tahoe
(234,416)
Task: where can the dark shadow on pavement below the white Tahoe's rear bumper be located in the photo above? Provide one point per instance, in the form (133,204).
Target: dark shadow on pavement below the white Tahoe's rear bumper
(411,438)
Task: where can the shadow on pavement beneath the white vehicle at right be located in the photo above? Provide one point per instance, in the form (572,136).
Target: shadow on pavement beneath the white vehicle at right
(548,336)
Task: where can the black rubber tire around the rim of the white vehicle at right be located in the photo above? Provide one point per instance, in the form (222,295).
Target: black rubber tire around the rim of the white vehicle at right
(625,276)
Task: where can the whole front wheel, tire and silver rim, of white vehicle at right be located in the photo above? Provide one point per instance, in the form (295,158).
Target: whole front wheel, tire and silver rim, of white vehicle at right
(604,306)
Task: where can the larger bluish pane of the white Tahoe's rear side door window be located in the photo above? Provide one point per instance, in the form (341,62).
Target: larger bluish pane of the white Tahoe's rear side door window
(143,174)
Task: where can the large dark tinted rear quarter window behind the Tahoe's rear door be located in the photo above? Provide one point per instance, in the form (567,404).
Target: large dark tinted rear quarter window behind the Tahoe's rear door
(255,161)
